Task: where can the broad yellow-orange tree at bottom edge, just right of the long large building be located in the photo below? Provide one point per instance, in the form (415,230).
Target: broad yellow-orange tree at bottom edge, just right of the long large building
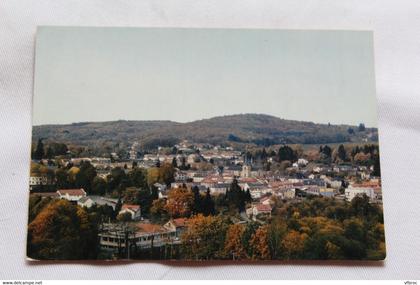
(204,238)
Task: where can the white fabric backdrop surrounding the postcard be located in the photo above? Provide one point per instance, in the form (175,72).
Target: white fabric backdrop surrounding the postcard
(397,56)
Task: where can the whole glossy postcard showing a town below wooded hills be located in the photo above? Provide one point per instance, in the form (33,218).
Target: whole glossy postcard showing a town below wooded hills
(204,144)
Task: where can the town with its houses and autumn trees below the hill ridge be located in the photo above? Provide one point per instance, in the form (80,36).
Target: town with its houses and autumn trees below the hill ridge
(201,201)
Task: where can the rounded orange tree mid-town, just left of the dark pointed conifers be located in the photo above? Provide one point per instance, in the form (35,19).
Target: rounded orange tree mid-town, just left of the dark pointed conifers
(180,202)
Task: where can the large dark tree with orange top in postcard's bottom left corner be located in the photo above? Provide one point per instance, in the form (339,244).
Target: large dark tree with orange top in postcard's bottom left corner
(62,231)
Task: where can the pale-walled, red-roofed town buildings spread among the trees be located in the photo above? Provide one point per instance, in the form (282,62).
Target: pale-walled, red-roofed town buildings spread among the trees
(339,181)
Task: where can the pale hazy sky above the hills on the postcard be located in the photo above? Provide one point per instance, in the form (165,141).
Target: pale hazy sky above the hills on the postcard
(103,74)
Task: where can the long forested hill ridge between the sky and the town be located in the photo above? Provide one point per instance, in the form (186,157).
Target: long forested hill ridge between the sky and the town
(243,128)
